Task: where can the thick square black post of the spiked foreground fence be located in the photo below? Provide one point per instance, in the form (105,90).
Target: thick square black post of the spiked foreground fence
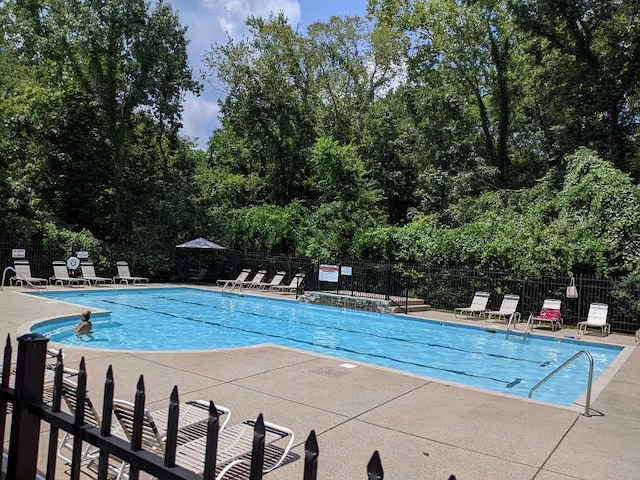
(25,427)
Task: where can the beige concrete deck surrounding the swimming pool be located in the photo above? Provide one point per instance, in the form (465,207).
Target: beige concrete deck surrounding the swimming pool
(423,428)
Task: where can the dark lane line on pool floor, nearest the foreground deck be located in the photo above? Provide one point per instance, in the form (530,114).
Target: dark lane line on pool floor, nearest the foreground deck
(507,383)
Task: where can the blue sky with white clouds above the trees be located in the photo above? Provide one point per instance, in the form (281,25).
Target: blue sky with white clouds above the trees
(209,22)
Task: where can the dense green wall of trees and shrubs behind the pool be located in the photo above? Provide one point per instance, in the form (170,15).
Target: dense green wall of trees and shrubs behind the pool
(484,133)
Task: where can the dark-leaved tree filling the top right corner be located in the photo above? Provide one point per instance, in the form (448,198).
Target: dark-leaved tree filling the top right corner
(584,65)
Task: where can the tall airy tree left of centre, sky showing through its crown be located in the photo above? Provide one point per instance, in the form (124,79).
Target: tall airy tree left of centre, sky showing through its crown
(270,108)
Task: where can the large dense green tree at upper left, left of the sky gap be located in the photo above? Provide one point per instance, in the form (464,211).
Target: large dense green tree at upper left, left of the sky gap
(100,72)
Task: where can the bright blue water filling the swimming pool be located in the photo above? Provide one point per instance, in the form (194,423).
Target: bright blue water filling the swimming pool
(193,319)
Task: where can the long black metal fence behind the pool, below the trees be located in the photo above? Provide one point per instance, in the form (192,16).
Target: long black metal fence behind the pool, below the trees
(442,287)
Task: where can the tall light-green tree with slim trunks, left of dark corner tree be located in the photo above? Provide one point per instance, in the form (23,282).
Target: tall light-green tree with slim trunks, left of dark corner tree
(465,47)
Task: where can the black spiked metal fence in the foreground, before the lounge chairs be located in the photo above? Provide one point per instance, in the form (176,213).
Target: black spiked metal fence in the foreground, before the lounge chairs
(28,411)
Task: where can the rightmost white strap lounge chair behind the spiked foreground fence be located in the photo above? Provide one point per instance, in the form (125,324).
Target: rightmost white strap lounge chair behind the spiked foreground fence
(235,445)
